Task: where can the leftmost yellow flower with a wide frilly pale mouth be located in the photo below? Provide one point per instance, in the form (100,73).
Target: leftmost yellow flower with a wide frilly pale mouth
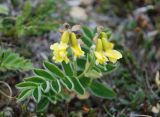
(60,49)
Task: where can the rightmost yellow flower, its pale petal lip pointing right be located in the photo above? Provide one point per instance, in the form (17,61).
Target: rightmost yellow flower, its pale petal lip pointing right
(113,55)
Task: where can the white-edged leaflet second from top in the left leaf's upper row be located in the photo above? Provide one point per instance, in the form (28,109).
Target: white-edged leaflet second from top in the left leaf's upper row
(44,74)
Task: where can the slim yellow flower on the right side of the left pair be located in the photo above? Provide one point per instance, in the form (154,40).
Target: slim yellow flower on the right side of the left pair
(76,48)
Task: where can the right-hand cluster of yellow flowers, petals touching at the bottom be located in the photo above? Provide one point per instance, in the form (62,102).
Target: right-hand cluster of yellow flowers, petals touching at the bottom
(104,50)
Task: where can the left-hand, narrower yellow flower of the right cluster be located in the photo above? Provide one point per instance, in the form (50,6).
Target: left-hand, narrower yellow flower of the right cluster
(100,57)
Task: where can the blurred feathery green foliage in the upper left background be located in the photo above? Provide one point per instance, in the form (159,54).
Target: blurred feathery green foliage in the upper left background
(31,21)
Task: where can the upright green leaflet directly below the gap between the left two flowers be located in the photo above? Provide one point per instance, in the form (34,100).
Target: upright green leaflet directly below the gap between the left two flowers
(67,68)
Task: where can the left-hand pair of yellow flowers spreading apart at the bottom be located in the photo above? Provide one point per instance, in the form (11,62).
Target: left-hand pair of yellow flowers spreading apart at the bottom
(60,50)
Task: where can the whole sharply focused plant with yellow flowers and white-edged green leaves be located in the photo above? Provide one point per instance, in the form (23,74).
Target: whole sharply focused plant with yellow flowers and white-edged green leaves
(79,60)
